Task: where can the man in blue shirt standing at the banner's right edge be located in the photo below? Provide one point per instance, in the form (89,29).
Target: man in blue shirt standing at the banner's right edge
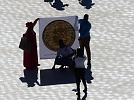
(84,39)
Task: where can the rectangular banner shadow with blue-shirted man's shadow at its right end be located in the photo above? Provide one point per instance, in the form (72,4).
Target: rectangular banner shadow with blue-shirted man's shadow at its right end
(50,77)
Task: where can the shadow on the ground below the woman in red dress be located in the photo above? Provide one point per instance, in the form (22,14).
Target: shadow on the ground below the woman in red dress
(30,77)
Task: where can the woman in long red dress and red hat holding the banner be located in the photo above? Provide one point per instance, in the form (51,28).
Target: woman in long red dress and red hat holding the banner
(30,59)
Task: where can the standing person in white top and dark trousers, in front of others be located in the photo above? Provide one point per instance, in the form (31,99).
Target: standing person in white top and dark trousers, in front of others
(79,70)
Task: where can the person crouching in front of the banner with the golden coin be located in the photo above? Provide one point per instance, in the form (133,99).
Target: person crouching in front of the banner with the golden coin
(64,55)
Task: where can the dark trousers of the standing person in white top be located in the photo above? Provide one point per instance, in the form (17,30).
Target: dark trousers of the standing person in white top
(80,75)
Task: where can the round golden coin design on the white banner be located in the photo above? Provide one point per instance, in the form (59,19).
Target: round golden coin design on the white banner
(56,30)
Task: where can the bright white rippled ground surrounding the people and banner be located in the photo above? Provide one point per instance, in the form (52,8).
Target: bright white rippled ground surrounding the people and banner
(111,46)
